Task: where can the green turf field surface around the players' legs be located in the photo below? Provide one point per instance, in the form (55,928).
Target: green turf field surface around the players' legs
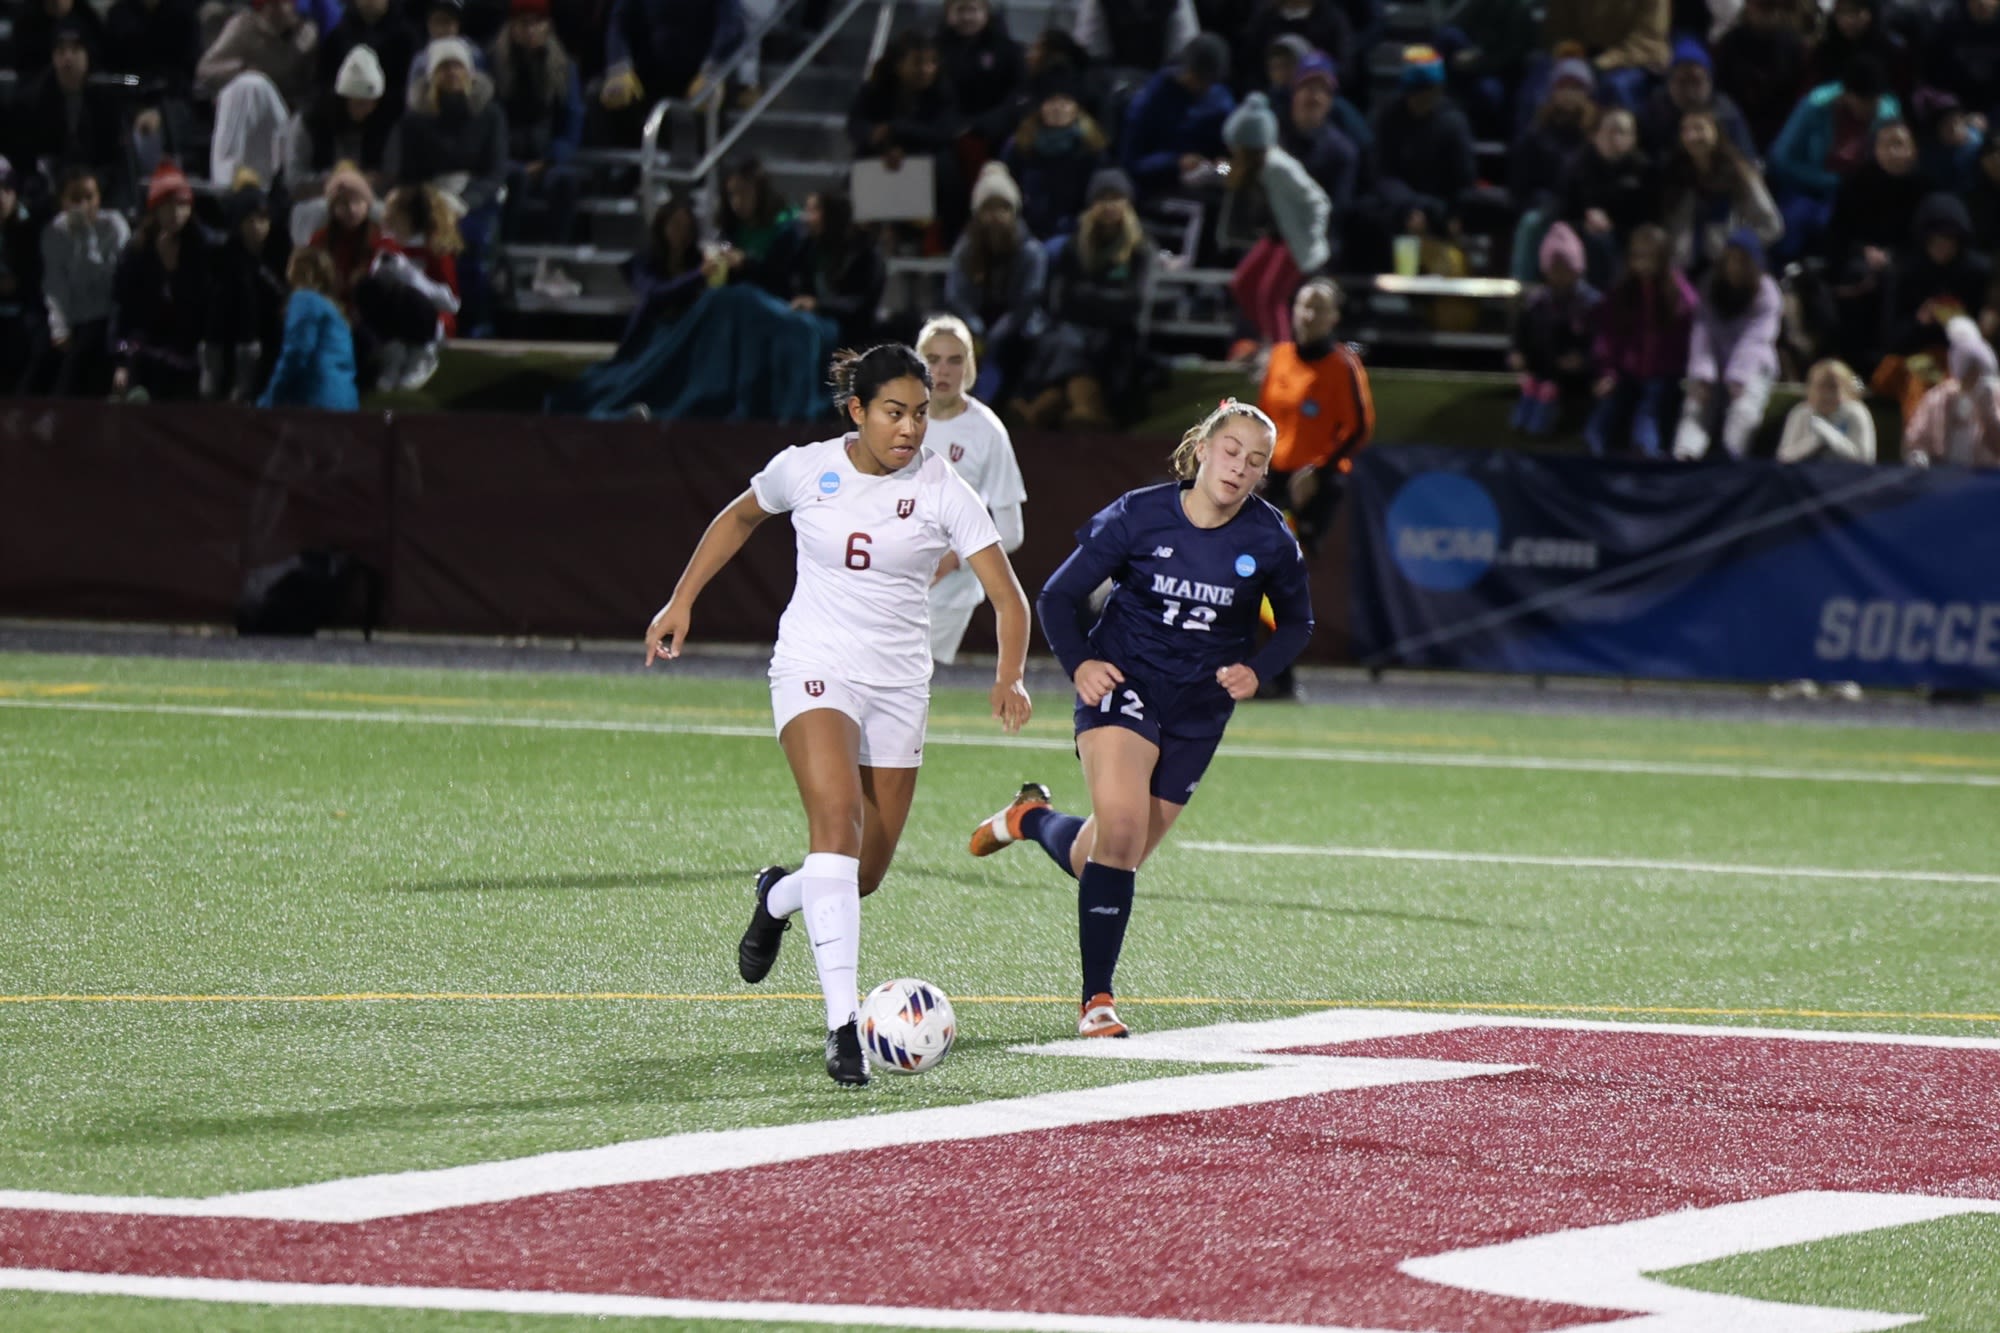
(269,926)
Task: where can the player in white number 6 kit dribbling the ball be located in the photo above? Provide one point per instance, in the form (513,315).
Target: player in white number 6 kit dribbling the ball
(873,513)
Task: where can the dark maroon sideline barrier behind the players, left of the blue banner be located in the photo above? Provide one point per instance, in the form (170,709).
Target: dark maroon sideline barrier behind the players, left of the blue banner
(475,523)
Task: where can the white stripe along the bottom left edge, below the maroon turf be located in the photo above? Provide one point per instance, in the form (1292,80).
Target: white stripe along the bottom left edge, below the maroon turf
(607,1306)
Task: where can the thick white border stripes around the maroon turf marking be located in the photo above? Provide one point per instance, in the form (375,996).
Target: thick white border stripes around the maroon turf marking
(1601,1268)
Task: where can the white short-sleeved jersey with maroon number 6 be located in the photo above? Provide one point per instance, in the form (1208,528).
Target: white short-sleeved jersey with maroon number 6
(867,553)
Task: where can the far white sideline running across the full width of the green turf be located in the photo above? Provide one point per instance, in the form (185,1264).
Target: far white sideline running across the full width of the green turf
(1513,764)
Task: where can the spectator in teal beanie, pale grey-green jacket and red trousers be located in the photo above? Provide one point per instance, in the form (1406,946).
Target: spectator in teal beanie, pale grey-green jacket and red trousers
(1277,217)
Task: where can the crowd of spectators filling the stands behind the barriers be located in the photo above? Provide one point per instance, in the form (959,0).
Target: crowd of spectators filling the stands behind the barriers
(1699,199)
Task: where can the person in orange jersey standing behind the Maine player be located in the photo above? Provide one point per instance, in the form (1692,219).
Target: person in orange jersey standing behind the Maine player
(1317,393)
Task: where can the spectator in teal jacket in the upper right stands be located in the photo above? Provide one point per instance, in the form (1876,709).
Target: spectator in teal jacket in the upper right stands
(1829,135)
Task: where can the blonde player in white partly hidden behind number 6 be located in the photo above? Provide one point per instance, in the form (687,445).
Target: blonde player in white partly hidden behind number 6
(977,443)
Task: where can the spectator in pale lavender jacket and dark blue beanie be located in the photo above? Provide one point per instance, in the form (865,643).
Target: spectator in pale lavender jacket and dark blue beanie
(1733,353)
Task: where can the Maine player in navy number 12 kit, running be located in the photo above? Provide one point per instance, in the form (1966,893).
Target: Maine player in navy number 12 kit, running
(1161,672)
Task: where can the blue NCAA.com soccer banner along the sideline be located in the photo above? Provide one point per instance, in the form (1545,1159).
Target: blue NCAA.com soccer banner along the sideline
(1833,571)
